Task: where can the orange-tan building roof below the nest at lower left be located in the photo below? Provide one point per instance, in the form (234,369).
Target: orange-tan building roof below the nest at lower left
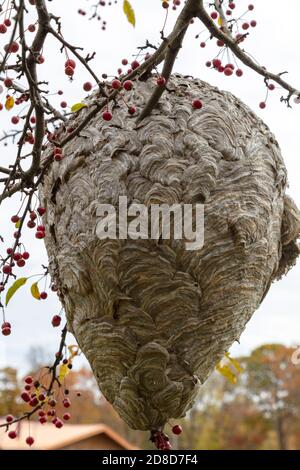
(48,437)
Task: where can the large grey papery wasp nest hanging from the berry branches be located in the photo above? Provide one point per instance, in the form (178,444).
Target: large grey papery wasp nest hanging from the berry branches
(153,318)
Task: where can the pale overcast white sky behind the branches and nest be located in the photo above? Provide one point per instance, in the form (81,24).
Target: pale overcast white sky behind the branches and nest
(274,43)
